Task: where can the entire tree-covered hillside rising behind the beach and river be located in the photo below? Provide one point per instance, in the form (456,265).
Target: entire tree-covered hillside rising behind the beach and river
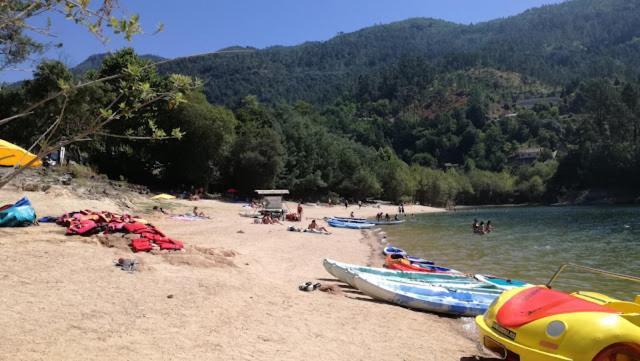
(525,109)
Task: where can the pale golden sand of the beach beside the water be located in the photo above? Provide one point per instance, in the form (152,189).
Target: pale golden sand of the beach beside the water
(232,295)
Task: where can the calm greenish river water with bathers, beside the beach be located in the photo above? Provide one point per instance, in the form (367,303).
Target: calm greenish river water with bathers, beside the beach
(530,243)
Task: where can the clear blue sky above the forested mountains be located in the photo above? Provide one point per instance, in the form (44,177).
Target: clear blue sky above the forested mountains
(201,26)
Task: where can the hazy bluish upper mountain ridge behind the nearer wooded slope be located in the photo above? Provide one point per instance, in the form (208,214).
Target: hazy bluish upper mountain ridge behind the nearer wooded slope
(555,44)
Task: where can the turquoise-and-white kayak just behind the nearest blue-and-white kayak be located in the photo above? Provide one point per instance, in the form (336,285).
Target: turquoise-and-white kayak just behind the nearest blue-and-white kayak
(345,273)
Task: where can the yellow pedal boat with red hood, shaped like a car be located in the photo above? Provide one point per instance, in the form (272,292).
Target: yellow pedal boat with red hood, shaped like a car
(537,323)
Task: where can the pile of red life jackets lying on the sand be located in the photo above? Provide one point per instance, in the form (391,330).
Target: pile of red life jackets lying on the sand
(86,223)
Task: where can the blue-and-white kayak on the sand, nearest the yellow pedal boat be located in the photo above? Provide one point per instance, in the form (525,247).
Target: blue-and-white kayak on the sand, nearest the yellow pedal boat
(425,297)
